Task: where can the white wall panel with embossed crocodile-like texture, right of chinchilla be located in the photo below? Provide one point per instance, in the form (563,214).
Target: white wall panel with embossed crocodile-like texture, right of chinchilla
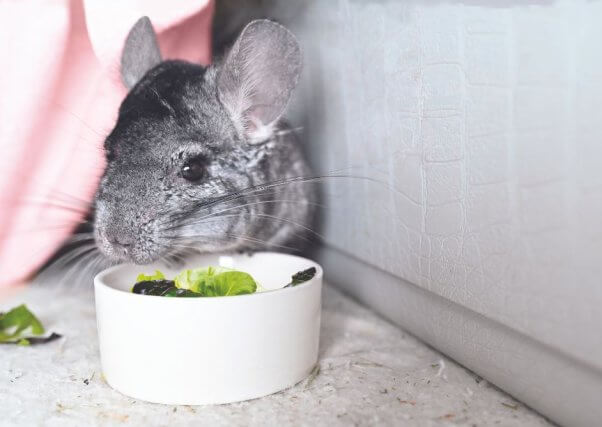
(486,122)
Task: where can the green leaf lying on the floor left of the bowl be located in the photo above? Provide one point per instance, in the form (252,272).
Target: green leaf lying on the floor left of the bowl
(17,326)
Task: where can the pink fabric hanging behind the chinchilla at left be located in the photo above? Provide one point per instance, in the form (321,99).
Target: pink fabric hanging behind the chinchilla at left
(60,91)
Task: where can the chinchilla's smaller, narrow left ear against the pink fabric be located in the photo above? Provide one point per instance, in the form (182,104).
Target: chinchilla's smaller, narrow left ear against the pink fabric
(140,52)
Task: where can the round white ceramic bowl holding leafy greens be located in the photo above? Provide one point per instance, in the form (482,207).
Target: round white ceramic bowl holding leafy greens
(197,351)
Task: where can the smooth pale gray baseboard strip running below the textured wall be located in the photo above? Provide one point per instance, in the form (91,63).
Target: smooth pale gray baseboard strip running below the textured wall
(559,387)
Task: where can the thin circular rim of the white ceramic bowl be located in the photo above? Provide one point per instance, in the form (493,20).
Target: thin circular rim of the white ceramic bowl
(100,283)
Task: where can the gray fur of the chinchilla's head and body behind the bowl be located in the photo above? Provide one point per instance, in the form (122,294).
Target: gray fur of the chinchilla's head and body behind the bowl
(145,209)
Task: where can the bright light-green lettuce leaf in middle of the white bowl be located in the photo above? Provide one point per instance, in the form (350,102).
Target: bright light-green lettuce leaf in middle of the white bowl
(216,281)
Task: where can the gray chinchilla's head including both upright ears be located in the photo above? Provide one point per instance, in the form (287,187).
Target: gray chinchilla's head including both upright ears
(185,137)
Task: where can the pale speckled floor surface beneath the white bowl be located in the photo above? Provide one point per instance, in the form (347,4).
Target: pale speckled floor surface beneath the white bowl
(370,373)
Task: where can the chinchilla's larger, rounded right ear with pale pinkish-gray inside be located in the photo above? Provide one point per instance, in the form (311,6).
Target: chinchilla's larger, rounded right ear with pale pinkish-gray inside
(257,77)
